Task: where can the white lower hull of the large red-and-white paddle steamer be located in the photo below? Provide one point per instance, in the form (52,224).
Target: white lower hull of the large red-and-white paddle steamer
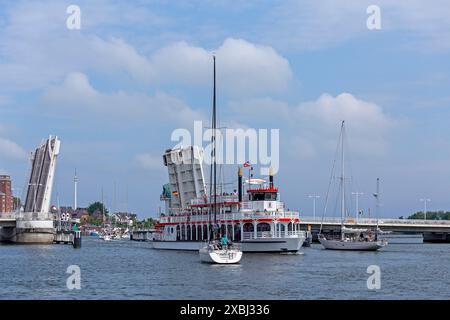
(287,244)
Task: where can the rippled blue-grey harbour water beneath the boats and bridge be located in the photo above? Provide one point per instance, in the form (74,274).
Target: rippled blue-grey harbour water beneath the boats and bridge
(131,270)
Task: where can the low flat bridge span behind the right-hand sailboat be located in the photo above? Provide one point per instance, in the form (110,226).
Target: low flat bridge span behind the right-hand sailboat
(432,230)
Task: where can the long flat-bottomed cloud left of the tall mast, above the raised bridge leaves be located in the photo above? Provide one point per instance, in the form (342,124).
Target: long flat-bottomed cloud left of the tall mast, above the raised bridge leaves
(77,97)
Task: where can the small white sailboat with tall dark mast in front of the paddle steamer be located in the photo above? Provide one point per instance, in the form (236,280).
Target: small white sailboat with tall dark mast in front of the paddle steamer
(217,251)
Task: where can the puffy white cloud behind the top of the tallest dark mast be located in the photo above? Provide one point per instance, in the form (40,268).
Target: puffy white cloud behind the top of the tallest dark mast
(243,68)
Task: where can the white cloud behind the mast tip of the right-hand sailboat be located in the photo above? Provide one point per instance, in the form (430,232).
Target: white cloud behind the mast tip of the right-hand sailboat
(313,127)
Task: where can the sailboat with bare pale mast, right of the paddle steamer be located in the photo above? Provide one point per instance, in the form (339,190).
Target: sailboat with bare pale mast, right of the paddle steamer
(350,238)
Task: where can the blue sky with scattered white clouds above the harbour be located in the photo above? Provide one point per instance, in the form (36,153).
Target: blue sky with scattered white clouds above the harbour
(115,90)
